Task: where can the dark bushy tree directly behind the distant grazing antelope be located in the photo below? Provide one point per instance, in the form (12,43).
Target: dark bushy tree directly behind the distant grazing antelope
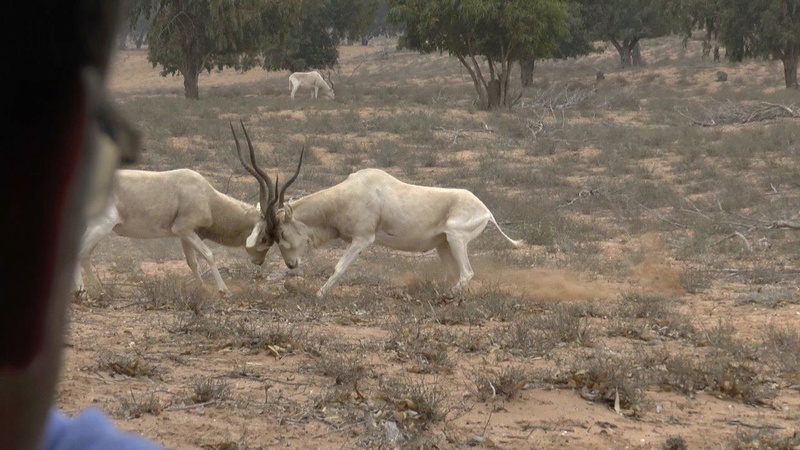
(314,43)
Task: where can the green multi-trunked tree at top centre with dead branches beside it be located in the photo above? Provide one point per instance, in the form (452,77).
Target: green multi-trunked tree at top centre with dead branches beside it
(501,32)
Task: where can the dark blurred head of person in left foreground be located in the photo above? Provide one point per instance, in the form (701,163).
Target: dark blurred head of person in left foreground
(54,174)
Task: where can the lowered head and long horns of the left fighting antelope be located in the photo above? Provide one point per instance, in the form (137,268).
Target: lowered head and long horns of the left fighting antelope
(261,238)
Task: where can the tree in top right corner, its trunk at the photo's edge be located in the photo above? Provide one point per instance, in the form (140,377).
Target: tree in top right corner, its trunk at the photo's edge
(763,29)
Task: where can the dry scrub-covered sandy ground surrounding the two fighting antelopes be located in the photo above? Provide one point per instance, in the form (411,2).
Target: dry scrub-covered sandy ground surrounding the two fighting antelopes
(655,307)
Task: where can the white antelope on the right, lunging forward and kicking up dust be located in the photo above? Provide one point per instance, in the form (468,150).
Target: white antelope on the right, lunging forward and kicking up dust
(371,206)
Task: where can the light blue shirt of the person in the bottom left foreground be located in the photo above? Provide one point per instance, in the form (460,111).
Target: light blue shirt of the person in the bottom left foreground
(92,430)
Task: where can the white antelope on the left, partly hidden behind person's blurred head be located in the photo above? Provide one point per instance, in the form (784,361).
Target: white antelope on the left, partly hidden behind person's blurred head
(181,203)
